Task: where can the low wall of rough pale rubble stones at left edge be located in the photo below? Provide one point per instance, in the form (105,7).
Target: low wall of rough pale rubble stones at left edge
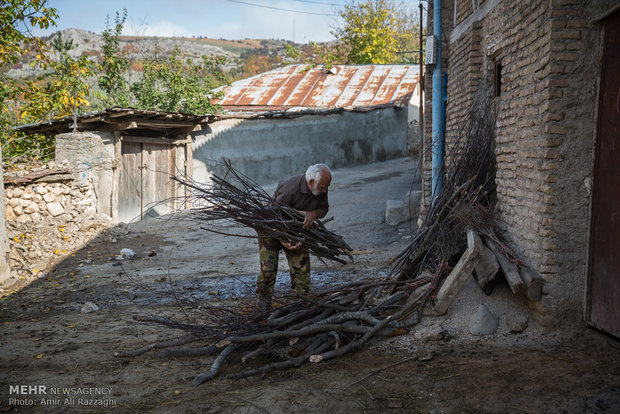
(47,219)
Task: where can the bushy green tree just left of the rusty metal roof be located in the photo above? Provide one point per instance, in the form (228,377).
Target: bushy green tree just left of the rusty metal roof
(179,84)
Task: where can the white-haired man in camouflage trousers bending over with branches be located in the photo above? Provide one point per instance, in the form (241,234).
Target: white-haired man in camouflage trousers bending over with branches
(308,194)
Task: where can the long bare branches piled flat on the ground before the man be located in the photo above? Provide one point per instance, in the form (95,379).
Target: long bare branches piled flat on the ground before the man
(311,328)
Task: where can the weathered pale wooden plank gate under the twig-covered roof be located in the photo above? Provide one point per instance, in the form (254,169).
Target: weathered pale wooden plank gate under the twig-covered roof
(145,188)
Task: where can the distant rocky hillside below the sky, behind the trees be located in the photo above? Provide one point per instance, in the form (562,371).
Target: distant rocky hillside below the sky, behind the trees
(244,57)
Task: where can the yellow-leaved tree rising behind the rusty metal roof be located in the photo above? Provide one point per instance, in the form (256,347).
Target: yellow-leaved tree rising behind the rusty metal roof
(373,31)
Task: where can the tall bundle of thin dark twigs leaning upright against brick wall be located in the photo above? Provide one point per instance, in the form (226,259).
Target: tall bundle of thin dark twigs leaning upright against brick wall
(464,199)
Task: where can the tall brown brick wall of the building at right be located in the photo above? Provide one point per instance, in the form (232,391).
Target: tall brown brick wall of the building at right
(549,52)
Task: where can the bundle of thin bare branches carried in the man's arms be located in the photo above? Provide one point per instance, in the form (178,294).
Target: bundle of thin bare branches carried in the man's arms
(235,197)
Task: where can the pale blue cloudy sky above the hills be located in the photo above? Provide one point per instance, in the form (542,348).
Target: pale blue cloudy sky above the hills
(301,21)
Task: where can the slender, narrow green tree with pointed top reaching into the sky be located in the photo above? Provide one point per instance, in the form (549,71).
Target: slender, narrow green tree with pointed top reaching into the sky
(114,66)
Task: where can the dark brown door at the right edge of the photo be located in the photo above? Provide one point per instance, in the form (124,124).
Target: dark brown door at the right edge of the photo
(603,287)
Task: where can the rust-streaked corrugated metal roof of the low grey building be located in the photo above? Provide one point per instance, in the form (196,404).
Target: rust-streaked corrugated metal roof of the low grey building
(343,86)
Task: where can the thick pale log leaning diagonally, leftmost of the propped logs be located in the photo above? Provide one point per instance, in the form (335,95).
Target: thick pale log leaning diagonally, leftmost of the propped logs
(455,280)
